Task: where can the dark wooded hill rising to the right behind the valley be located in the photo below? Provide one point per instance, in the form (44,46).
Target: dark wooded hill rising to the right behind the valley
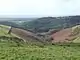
(44,24)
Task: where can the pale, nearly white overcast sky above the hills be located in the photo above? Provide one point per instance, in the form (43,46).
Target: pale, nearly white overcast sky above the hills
(39,8)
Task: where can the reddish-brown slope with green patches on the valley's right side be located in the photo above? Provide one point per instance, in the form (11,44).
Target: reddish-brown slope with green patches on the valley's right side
(67,35)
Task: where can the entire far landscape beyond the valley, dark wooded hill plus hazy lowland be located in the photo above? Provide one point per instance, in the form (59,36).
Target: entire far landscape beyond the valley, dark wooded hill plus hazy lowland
(43,24)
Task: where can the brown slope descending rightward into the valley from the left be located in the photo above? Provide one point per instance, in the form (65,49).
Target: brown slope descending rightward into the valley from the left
(26,35)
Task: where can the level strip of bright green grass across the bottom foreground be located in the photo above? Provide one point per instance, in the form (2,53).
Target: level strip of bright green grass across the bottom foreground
(38,53)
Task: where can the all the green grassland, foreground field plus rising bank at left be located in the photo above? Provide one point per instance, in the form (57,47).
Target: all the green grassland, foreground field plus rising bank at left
(14,49)
